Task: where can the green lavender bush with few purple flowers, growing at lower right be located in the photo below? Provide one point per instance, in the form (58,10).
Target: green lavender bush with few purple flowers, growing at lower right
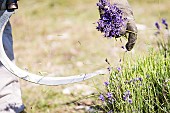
(143,86)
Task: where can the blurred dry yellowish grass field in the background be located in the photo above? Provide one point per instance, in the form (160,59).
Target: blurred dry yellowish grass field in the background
(60,37)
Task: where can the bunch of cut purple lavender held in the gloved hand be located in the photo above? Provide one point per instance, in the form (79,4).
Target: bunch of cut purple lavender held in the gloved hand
(111,19)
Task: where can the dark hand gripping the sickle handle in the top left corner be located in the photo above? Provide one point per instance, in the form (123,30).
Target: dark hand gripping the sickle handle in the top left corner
(9,5)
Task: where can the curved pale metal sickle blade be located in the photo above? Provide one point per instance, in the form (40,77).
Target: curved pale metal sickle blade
(33,77)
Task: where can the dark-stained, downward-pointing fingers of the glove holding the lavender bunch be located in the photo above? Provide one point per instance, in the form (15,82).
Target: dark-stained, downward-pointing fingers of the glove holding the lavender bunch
(132,30)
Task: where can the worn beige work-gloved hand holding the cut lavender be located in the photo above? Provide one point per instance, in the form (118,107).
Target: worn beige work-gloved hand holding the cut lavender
(130,26)
